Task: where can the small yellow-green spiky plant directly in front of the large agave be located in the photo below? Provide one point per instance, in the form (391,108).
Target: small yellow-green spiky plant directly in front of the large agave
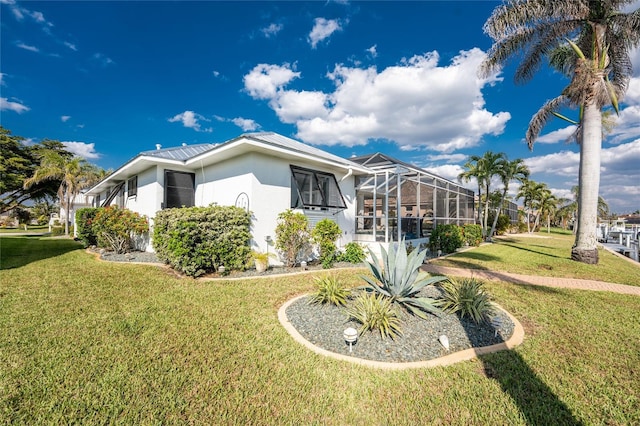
(375,312)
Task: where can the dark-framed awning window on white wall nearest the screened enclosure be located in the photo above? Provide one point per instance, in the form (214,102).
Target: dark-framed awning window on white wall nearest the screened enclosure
(310,188)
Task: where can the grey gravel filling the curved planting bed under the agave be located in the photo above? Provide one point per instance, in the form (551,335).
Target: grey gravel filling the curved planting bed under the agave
(323,325)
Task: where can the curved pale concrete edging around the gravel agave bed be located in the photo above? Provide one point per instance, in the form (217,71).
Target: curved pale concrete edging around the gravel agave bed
(464,355)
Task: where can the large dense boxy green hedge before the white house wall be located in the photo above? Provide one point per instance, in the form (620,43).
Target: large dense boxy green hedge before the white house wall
(197,240)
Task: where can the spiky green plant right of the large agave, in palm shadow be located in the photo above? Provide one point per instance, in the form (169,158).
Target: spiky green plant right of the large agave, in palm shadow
(467,297)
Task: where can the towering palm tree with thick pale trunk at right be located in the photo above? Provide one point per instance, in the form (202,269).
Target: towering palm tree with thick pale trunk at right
(600,34)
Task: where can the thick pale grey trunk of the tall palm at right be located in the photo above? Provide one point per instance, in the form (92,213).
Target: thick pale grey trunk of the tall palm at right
(585,248)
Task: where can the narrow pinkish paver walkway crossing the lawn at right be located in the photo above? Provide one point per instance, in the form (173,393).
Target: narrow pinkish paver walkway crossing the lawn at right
(556,282)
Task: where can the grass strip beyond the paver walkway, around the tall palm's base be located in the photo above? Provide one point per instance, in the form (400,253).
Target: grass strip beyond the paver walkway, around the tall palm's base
(546,254)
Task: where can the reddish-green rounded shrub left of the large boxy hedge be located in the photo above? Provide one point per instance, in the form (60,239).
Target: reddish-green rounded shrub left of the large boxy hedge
(115,228)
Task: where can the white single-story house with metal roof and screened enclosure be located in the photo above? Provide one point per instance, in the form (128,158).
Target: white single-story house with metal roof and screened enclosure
(267,173)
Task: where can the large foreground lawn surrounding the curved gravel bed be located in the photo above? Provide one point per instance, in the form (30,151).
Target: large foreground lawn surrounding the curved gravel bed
(91,342)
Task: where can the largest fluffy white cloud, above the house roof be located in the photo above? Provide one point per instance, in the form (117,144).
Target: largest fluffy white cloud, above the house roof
(415,104)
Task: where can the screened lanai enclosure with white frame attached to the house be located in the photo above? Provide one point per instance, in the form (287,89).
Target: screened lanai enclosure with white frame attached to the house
(400,201)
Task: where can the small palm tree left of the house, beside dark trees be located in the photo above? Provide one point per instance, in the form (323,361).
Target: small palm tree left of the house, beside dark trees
(75,174)
